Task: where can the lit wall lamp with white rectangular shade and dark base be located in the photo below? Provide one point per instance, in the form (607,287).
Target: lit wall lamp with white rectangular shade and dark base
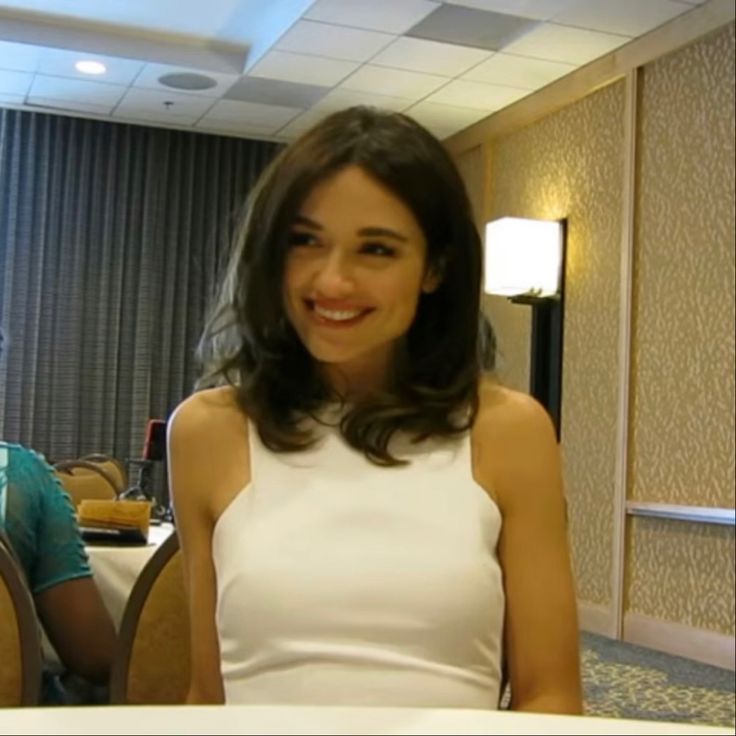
(525,262)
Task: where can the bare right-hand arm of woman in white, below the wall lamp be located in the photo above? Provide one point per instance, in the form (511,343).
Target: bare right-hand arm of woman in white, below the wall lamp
(522,463)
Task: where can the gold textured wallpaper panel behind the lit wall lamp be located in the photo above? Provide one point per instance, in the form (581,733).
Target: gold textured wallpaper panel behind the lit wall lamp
(570,164)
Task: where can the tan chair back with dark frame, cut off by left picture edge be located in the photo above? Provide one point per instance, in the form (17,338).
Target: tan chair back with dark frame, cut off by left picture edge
(20,642)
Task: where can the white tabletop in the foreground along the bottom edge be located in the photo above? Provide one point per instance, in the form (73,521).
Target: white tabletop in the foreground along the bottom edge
(264,720)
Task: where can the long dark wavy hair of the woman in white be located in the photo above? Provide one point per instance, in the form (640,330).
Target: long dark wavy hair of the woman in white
(249,342)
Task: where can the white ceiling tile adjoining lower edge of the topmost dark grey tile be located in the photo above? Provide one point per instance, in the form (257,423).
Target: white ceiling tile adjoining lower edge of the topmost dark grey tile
(432,57)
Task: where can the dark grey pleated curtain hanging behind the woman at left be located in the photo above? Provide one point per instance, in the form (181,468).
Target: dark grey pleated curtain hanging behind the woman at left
(112,238)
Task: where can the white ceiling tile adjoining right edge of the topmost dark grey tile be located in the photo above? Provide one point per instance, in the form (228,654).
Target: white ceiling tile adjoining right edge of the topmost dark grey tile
(562,43)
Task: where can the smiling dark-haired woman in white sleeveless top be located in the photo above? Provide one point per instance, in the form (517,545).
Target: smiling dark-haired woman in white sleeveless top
(365,518)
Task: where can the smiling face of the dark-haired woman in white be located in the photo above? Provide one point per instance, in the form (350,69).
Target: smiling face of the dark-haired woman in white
(353,276)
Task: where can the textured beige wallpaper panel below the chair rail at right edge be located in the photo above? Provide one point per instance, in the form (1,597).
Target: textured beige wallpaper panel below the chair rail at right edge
(682,572)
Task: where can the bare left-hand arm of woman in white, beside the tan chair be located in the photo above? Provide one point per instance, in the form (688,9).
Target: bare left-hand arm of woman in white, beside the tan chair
(196,445)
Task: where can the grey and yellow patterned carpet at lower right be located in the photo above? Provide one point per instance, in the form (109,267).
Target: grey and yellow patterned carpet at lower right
(626,681)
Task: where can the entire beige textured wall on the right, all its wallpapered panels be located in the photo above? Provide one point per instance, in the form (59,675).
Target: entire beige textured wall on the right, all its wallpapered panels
(571,164)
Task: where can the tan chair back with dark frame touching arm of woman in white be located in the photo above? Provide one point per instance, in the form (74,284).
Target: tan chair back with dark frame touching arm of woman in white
(152,663)
